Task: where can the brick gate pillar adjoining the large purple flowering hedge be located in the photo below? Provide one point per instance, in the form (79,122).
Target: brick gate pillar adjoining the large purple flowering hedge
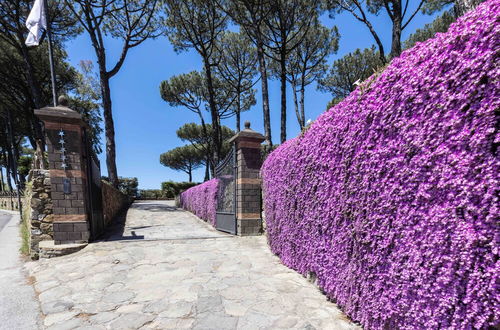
(248,183)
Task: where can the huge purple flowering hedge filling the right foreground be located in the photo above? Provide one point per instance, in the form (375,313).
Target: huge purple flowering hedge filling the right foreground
(392,197)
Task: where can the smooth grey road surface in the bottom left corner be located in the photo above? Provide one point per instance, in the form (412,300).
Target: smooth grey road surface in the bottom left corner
(19,307)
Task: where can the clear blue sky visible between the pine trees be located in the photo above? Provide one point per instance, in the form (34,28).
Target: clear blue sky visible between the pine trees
(145,125)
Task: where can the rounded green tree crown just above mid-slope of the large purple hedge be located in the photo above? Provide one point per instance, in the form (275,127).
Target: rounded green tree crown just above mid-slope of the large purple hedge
(349,71)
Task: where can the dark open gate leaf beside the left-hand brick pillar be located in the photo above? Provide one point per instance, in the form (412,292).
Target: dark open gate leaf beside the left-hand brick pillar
(94,191)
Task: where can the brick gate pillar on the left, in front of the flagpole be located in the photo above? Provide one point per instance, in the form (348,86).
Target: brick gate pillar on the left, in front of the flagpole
(64,131)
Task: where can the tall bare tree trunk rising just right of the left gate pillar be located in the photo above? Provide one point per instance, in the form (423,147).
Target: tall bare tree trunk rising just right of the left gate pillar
(109,126)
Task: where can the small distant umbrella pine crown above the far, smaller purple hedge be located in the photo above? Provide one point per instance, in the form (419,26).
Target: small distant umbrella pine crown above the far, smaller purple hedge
(186,158)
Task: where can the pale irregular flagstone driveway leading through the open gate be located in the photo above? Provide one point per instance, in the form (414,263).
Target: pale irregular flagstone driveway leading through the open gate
(166,269)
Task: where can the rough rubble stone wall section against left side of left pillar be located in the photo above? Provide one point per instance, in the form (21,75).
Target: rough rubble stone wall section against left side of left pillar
(38,210)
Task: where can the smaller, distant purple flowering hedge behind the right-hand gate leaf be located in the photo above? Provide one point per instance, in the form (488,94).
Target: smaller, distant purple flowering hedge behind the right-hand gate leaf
(201,200)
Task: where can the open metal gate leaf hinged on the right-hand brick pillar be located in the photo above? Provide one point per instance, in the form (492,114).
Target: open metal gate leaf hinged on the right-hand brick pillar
(226,195)
